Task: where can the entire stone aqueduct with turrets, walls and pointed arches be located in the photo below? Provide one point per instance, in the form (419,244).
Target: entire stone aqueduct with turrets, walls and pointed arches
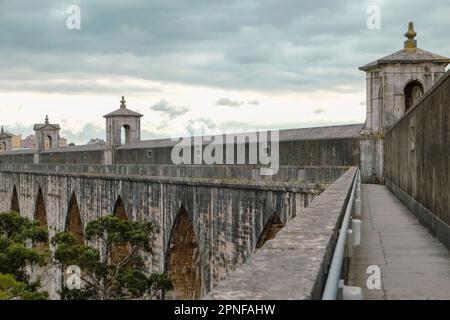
(217,222)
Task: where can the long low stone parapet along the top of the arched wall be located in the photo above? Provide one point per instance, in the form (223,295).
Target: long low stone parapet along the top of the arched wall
(226,174)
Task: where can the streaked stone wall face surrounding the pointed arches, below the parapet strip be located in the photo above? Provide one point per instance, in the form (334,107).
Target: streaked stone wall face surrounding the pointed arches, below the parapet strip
(227,218)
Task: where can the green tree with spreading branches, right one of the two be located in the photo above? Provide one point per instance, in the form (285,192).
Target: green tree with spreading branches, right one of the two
(117,269)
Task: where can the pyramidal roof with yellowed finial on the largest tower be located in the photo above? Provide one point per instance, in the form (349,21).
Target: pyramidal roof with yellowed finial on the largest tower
(409,54)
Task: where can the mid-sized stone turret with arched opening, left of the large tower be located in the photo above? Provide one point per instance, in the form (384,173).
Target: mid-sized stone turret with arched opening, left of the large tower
(120,121)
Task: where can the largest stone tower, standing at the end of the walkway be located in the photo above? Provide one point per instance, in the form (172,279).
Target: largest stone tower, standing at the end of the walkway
(393,85)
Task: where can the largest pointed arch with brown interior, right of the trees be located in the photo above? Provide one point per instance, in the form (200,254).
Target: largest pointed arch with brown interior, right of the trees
(183,258)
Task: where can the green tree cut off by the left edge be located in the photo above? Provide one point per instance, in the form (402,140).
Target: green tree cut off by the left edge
(19,252)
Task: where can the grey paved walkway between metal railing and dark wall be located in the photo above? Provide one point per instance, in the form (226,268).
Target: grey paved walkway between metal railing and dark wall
(414,264)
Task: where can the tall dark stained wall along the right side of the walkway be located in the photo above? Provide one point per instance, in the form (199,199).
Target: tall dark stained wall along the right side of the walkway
(417,153)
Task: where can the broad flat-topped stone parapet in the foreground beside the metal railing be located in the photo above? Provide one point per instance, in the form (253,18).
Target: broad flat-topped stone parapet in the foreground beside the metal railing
(294,264)
